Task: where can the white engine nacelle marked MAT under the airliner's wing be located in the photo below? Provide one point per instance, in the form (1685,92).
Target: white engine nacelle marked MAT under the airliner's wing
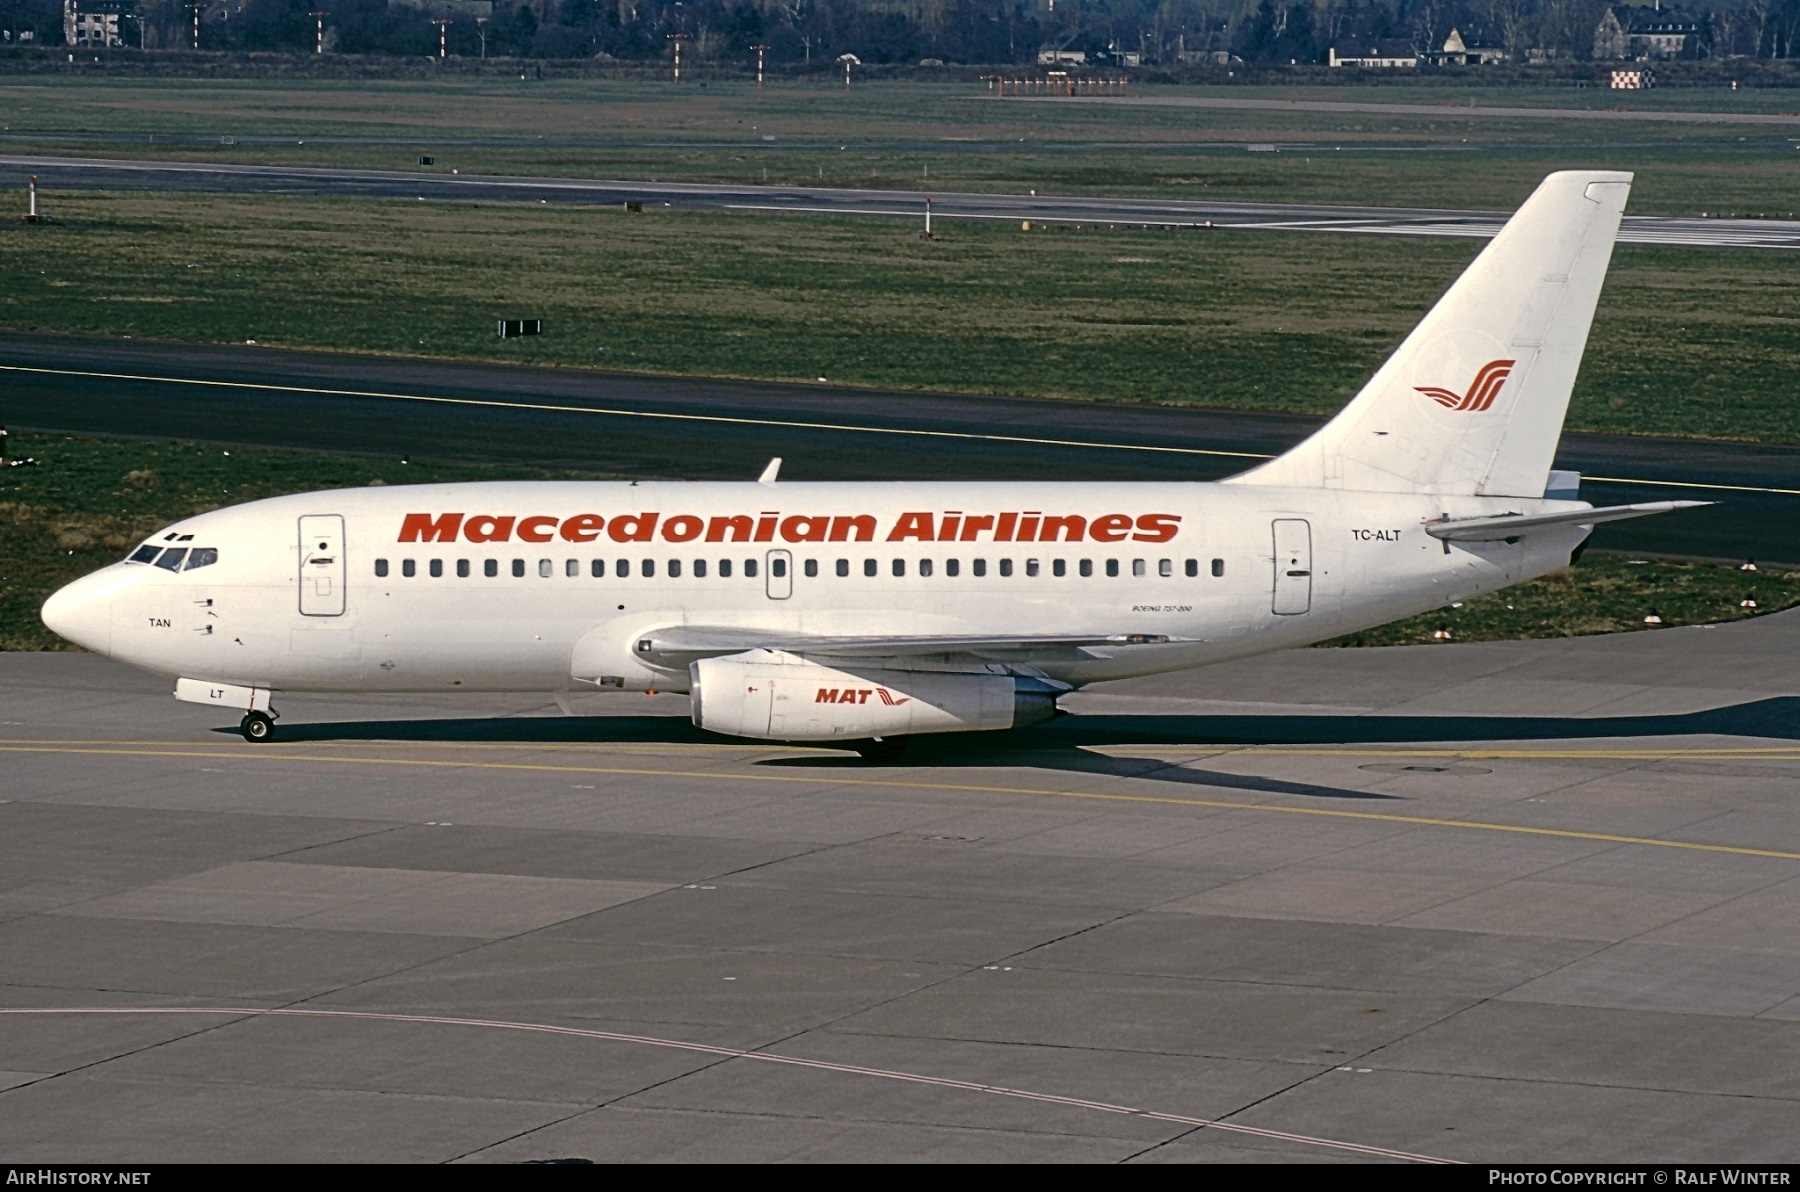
(778,696)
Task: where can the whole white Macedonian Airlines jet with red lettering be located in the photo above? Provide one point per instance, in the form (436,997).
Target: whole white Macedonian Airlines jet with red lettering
(867,613)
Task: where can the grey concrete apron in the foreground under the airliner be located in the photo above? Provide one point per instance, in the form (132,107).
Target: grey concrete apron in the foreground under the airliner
(1520,901)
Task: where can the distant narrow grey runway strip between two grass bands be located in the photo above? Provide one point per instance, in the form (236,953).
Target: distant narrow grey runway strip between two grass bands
(231,179)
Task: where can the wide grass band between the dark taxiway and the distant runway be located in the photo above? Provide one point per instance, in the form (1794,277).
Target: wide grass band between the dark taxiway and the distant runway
(1686,343)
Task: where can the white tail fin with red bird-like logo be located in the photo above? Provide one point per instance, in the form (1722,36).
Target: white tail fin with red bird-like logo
(1473,402)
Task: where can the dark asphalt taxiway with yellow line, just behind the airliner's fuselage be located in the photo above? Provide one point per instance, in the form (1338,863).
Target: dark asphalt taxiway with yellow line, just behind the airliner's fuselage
(712,429)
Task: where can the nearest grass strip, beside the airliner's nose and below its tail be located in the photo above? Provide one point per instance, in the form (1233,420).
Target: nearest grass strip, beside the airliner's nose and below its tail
(89,501)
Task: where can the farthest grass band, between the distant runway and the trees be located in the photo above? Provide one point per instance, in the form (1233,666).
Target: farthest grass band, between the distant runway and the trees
(939,138)
